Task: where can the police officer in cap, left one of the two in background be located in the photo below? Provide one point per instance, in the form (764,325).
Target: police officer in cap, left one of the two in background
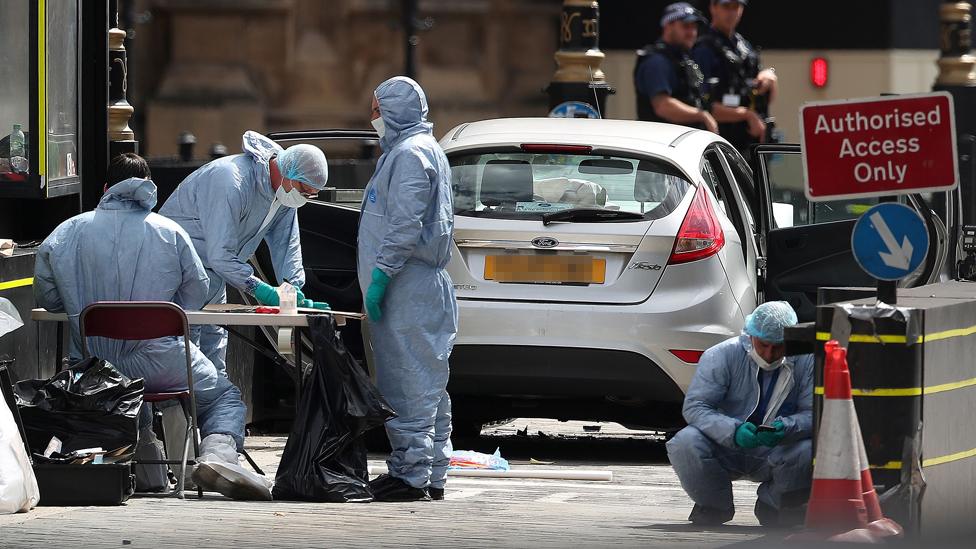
(667,79)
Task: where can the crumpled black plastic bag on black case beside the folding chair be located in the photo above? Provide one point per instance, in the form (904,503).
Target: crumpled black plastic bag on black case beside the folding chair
(88,405)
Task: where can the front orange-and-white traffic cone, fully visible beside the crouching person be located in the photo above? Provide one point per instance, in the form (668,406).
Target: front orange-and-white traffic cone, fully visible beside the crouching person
(836,511)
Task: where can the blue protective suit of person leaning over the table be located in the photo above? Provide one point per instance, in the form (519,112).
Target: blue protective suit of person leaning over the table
(224,206)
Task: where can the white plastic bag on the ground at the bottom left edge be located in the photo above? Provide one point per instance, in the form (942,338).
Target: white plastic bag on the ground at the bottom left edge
(18,487)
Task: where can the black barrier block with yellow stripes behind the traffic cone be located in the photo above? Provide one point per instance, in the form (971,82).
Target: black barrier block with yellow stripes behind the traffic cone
(913,374)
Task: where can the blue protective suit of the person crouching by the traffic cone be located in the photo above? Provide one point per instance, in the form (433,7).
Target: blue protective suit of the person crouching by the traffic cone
(723,394)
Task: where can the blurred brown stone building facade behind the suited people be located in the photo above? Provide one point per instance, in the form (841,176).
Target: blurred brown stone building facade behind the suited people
(218,67)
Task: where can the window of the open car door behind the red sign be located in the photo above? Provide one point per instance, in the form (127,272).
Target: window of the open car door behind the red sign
(784,173)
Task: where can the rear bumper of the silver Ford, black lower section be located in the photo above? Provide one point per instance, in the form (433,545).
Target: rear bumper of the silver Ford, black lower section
(596,350)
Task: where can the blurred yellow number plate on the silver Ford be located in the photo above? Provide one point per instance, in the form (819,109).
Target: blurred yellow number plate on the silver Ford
(546,269)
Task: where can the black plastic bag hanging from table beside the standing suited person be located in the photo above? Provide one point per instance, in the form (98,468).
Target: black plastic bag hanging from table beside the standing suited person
(325,456)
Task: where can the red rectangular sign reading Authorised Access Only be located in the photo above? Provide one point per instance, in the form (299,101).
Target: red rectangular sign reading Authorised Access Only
(879,146)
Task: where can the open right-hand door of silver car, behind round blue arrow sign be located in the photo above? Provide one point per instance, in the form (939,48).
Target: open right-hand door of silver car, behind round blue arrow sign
(807,245)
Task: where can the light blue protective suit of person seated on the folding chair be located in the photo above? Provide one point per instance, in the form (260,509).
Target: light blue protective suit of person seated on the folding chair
(123,252)
